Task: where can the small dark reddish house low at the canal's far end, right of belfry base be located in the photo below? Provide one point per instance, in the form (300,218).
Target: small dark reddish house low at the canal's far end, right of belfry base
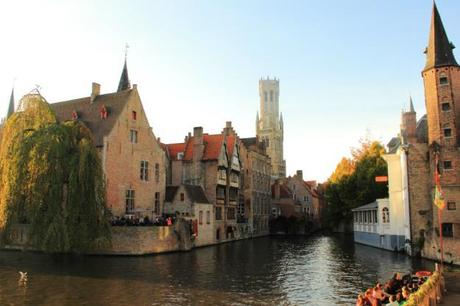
(283,203)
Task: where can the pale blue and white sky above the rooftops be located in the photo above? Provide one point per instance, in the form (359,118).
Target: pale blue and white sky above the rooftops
(346,68)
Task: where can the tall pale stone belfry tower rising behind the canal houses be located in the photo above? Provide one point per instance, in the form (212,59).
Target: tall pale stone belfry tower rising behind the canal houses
(269,127)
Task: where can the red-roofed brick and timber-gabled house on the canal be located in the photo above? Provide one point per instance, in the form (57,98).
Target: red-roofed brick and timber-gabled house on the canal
(212,162)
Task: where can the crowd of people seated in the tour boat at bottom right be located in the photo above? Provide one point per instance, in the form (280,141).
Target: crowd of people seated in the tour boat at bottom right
(394,293)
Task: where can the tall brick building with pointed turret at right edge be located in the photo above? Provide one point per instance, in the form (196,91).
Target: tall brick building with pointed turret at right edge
(435,136)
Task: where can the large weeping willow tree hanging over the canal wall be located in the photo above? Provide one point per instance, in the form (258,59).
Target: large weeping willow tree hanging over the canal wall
(51,178)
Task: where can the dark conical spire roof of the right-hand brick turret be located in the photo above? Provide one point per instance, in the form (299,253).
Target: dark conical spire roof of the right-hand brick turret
(439,51)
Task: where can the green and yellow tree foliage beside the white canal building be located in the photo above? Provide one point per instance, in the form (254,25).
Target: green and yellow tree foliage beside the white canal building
(353,182)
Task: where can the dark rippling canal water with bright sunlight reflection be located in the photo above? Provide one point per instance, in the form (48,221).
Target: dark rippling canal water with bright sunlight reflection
(318,270)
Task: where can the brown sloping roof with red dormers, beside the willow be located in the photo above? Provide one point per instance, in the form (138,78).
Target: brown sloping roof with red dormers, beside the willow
(90,113)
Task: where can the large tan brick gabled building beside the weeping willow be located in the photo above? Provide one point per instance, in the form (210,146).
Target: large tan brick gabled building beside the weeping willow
(132,158)
